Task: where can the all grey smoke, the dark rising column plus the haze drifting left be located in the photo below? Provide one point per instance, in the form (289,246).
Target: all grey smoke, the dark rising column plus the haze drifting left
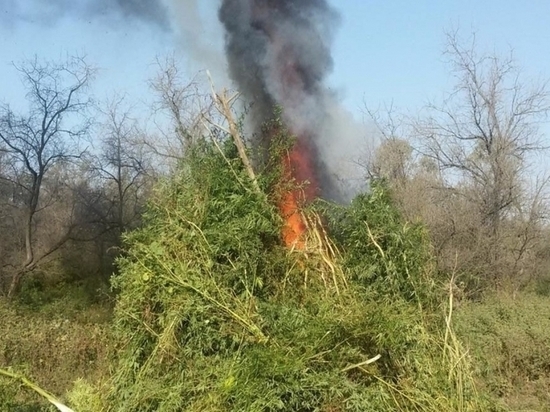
(260,35)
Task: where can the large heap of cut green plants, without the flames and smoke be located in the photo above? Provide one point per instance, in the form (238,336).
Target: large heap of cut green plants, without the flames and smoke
(214,314)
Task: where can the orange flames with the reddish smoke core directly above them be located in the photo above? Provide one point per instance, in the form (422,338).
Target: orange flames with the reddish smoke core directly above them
(290,86)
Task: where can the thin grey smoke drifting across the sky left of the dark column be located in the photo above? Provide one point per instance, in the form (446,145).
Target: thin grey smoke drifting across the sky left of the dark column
(199,36)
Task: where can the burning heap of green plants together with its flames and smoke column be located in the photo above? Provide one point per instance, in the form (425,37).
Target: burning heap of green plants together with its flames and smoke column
(248,289)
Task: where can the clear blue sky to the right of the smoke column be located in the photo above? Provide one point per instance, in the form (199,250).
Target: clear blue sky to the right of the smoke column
(392,50)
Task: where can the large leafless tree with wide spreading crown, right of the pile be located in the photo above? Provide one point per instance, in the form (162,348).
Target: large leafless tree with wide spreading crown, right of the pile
(484,130)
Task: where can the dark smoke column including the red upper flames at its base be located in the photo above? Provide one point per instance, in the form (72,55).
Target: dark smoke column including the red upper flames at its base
(278,53)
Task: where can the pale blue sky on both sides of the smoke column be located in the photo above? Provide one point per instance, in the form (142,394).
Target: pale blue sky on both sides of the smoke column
(384,51)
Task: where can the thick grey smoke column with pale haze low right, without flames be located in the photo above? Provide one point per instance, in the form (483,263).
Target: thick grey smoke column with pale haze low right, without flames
(269,41)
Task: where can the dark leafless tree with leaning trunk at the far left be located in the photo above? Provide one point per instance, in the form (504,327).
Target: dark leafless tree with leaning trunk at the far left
(48,135)
